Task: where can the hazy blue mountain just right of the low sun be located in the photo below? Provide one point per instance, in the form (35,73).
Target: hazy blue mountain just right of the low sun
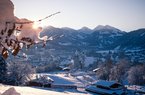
(65,37)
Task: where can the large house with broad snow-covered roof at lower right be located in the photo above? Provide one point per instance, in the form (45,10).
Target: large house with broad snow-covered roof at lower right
(106,88)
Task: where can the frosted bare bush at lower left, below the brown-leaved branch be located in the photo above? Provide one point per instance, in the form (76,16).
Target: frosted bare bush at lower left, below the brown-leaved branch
(19,73)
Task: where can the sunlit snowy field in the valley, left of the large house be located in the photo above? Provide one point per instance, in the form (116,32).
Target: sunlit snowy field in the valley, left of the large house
(80,79)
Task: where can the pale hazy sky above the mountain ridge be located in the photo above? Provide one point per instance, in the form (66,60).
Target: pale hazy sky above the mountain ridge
(126,15)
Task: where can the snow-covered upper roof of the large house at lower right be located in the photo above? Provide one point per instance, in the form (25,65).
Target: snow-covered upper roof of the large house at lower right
(105,83)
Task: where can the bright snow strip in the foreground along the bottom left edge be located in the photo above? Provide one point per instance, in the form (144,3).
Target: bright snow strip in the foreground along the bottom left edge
(43,91)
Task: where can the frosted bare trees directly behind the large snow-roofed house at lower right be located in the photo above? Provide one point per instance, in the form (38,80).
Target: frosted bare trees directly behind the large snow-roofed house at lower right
(116,72)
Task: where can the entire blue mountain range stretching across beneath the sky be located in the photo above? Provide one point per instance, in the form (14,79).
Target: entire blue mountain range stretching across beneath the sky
(100,38)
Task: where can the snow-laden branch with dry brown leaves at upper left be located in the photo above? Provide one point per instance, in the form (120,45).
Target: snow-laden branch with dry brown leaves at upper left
(14,32)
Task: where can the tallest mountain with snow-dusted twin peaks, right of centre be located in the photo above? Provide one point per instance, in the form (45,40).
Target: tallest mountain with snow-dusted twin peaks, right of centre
(104,36)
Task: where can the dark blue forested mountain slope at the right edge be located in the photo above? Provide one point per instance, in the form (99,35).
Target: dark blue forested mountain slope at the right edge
(132,40)
